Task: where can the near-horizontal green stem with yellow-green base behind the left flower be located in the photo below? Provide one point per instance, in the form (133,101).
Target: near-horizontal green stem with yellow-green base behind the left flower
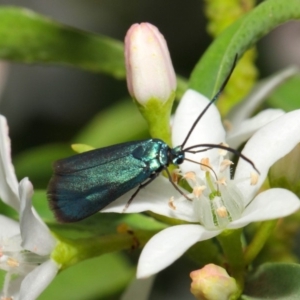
(69,252)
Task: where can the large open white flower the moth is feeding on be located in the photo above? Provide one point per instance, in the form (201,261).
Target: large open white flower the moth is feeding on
(266,146)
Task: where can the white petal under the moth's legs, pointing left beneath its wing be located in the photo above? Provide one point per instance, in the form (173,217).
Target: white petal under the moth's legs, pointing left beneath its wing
(155,197)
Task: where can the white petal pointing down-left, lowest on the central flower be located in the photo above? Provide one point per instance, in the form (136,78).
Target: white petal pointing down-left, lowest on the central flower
(168,245)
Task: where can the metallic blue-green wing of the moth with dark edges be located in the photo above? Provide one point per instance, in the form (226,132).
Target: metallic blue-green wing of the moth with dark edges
(84,184)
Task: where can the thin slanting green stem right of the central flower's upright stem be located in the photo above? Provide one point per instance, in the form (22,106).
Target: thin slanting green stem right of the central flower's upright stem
(259,240)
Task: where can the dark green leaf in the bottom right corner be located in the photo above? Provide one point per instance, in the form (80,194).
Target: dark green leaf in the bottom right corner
(274,281)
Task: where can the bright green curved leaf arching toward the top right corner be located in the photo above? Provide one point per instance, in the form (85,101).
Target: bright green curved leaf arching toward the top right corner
(211,70)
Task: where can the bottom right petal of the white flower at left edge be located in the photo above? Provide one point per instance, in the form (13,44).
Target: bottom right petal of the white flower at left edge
(37,280)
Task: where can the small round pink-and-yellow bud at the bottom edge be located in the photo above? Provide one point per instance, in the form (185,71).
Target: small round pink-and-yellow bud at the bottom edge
(212,283)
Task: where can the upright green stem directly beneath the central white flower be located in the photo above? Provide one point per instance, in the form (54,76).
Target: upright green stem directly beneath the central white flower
(230,241)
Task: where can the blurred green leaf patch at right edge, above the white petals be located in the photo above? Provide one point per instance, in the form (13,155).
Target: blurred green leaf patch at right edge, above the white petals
(286,96)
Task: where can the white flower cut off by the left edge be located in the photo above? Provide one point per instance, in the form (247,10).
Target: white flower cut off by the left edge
(25,247)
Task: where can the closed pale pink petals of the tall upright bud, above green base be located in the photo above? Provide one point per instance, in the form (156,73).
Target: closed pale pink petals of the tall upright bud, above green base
(150,73)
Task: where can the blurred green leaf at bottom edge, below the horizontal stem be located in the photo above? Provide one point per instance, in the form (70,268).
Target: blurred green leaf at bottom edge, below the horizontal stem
(100,278)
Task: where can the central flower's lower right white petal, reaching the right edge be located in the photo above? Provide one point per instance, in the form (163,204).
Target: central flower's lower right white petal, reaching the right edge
(268,205)
